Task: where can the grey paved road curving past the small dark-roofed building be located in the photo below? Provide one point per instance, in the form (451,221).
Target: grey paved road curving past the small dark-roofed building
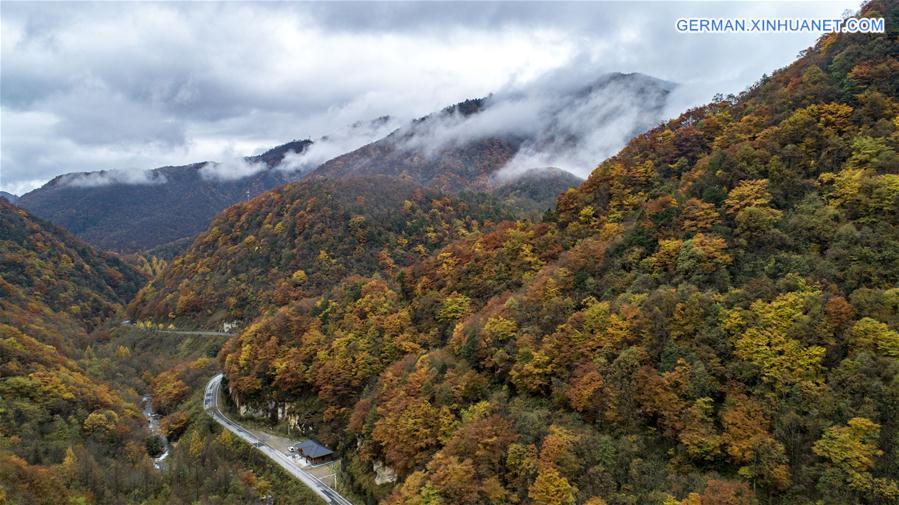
(211,404)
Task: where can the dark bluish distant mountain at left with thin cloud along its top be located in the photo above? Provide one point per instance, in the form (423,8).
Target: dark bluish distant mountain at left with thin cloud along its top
(130,214)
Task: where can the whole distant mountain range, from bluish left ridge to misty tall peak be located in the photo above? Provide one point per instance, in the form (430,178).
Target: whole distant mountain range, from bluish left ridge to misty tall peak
(464,147)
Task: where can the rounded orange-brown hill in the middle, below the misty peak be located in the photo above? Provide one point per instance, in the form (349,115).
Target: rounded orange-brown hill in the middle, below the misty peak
(295,241)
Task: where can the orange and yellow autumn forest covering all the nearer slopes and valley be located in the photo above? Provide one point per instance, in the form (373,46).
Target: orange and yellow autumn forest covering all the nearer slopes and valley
(710,318)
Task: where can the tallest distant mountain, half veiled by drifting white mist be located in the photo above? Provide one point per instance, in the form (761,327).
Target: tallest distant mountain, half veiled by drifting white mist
(465,146)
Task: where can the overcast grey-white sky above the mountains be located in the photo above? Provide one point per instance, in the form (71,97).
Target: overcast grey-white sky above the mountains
(140,85)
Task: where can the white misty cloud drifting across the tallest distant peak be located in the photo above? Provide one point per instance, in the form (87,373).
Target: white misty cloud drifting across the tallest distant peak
(560,122)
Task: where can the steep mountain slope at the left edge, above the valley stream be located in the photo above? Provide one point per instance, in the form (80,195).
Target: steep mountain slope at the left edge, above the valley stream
(54,290)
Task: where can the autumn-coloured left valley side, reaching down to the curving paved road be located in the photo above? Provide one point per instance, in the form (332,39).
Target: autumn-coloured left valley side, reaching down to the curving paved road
(70,384)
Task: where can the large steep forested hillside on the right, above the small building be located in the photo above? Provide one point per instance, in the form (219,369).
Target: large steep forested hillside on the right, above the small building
(711,318)
